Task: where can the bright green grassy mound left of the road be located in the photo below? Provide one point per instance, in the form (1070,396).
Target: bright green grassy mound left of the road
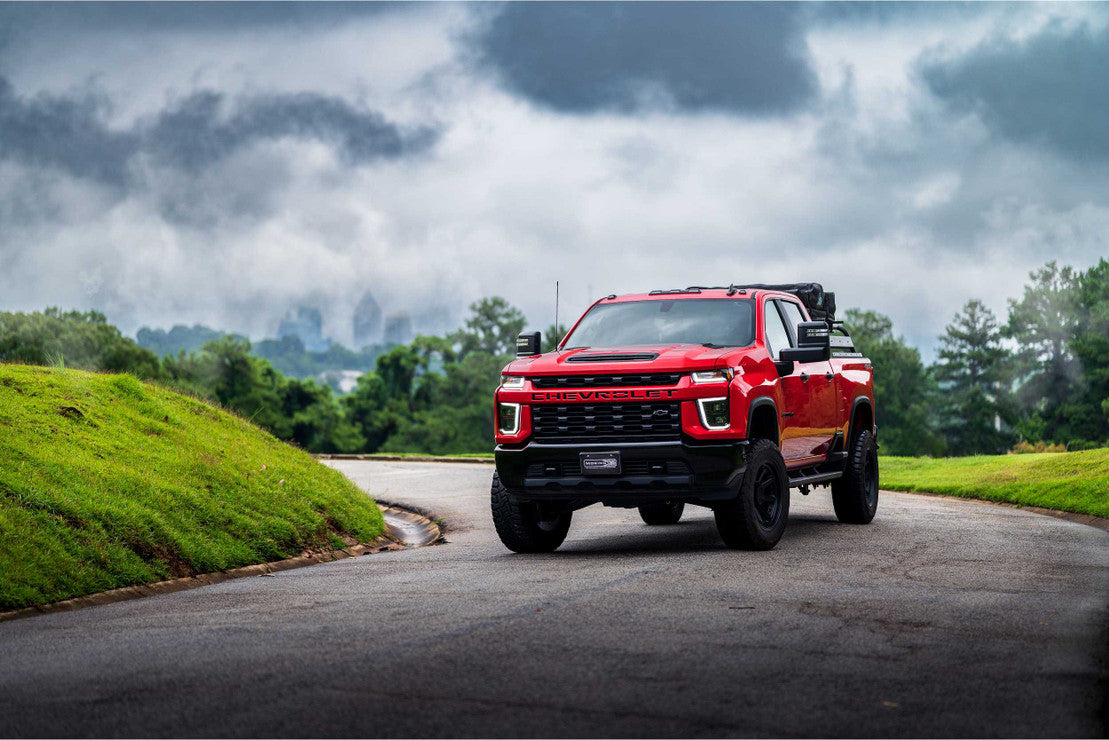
(108,482)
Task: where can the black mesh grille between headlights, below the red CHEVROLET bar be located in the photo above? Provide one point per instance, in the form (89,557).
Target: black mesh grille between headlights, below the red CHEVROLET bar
(607,423)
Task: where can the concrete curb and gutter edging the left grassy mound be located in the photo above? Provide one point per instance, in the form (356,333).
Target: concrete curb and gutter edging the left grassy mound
(404,530)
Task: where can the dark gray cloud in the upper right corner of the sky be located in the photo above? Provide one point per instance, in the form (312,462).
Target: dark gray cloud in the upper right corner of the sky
(1049,90)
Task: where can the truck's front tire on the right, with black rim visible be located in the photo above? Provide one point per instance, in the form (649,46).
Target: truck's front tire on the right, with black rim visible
(756,520)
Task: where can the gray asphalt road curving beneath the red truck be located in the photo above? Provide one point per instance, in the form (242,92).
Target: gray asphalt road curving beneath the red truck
(941,619)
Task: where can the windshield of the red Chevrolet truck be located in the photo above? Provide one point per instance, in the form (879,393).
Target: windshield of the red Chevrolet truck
(715,323)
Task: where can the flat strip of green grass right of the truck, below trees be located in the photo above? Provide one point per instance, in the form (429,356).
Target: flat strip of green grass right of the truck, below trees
(1070,482)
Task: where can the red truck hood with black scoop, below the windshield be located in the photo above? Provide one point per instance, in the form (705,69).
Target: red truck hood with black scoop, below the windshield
(639,359)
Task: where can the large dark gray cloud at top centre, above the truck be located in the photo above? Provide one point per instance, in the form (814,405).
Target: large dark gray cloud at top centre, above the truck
(587,57)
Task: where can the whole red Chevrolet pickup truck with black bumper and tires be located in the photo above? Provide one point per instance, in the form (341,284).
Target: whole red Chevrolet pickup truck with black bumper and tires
(725,398)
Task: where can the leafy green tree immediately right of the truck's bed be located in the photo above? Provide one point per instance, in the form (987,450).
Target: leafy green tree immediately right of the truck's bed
(905,393)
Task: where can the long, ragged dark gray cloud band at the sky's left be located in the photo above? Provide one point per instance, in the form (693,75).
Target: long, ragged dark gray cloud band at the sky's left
(70,134)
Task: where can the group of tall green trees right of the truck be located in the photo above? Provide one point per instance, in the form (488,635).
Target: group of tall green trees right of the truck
(1037,379)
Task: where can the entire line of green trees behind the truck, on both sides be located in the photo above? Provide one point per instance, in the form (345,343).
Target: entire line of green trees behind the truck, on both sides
(1039,378)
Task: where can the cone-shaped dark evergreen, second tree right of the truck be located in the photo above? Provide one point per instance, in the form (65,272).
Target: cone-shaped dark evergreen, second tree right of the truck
(973,376)
